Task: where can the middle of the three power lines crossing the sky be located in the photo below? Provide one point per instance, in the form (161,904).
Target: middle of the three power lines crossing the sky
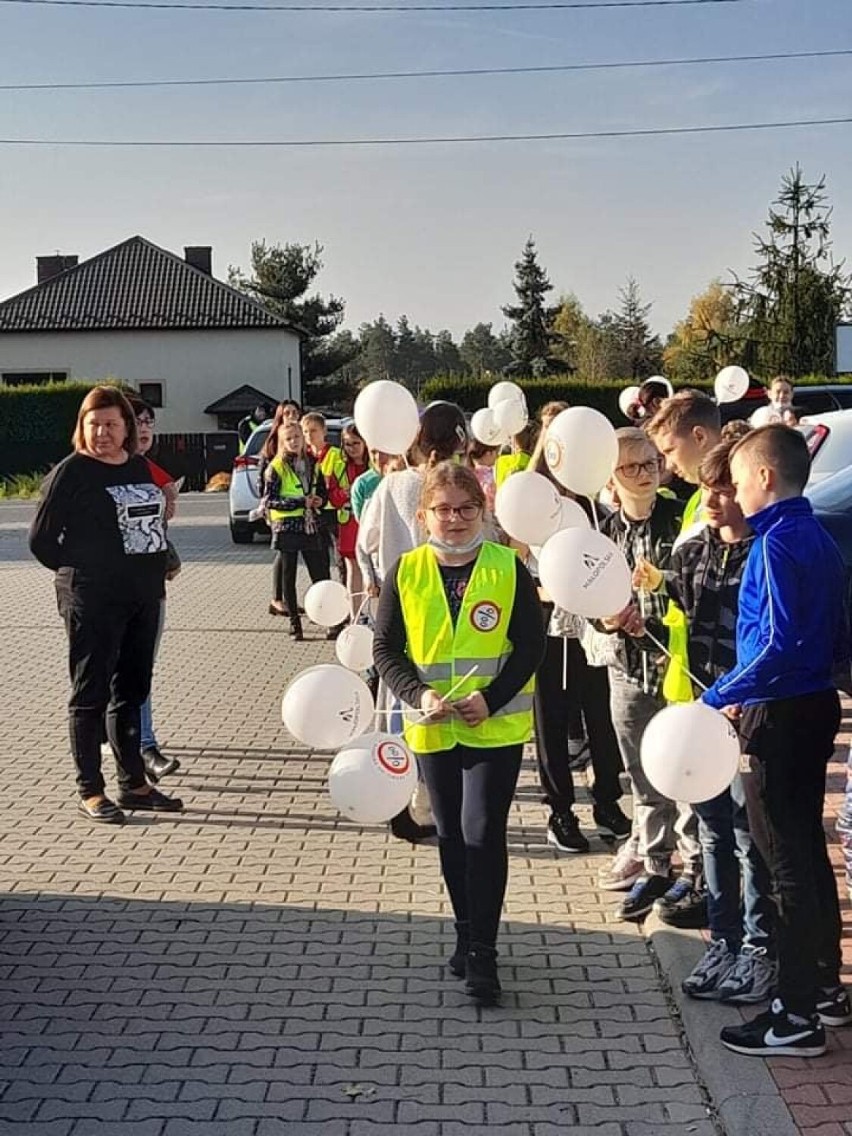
(354,77)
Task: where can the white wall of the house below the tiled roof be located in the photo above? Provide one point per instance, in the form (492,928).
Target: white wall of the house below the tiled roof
(196,369)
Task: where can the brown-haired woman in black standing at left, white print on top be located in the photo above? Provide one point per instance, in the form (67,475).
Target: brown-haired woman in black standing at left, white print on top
(101,528)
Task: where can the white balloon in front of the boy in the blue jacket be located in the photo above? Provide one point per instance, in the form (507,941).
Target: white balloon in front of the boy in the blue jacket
(690,753)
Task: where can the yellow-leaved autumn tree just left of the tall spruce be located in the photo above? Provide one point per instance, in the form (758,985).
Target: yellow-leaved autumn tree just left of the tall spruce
(707,340)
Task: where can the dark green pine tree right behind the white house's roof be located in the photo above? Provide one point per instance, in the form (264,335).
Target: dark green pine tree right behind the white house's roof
(281,277)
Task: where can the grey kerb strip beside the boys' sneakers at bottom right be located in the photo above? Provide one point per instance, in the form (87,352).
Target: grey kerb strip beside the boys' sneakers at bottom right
(744,1092)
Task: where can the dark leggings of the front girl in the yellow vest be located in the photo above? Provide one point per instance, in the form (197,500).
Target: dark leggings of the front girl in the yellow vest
(471,792)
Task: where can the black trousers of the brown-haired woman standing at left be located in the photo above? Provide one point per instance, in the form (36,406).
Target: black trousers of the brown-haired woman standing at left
(111,658)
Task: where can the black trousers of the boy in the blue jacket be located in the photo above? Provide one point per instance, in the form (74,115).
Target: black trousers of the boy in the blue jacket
(790,744)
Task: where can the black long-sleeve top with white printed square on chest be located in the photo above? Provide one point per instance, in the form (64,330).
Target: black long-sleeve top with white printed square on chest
(103,527)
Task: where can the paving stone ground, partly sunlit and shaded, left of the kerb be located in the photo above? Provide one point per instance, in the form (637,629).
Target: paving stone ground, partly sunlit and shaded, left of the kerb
(260,966)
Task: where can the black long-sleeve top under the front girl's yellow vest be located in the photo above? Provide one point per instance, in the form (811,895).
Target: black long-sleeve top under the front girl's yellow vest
(525,633)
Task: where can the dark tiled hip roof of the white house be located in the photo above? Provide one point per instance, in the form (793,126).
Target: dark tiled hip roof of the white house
(133,287)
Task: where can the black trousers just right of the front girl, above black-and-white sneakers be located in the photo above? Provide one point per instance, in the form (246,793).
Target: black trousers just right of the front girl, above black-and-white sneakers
(589,687)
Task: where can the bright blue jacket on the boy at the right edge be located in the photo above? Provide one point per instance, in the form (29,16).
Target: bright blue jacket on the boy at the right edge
(791,631)
